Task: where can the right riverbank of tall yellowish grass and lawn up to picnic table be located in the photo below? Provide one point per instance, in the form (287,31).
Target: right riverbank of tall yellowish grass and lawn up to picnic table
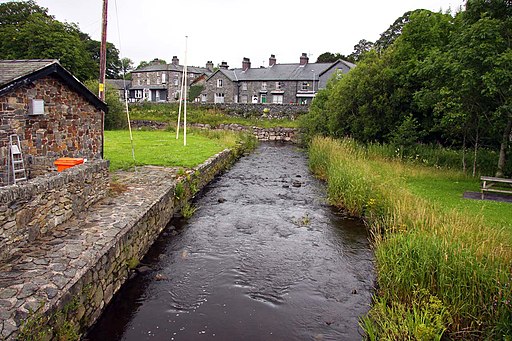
(444,264)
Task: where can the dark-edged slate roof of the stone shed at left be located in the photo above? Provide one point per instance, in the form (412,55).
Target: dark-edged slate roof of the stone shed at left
(17,73)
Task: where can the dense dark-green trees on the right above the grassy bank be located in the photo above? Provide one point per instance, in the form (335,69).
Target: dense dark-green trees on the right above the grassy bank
(433,79)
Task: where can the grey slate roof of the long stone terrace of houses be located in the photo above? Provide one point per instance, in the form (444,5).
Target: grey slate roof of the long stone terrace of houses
(282,72)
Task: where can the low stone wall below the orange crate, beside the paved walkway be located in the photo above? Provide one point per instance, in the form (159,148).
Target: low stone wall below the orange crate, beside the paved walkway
(32,208)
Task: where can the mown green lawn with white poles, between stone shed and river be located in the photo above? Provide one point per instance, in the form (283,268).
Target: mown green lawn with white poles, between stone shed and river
(161,148)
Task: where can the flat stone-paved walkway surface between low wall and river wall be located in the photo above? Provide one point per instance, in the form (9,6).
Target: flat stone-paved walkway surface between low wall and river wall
(35,279)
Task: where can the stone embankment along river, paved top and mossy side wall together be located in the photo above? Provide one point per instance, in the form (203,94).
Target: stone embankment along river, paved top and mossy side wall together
(58,284)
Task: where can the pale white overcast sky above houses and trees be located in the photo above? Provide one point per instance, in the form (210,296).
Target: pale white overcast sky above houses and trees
(228,30)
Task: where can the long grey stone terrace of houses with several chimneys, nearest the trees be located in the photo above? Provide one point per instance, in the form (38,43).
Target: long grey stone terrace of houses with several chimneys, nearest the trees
(295,83)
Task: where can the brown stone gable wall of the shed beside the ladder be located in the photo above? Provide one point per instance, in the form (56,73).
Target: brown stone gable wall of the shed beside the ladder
(70,127)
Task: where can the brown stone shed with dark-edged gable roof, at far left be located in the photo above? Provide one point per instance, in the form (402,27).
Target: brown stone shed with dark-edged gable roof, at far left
(53,114)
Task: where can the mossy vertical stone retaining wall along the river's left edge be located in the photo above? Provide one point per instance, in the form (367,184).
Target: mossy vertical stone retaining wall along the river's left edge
(83,302)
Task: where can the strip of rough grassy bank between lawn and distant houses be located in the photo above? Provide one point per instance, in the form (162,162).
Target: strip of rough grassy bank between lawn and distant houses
(165,112)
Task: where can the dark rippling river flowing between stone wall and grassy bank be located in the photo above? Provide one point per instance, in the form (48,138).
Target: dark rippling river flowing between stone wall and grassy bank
(263,258)
